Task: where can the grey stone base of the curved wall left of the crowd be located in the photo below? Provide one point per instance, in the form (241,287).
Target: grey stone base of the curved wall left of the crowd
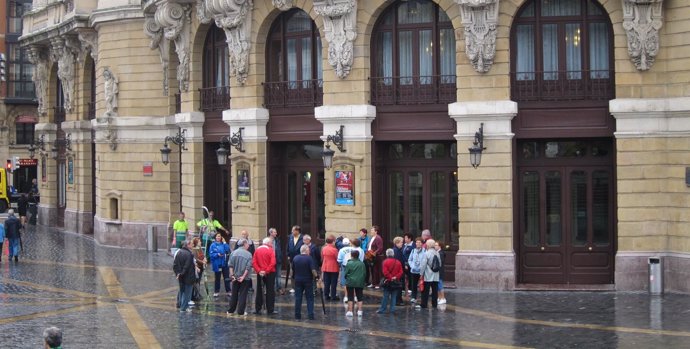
(129,234)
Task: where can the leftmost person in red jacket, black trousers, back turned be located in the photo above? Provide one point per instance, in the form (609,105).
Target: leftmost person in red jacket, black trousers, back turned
(264,263)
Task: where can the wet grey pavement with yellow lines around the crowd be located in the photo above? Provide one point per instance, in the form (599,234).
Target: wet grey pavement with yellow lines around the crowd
(108,297)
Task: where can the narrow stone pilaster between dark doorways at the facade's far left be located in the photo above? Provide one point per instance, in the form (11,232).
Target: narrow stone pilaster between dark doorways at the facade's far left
(78,215)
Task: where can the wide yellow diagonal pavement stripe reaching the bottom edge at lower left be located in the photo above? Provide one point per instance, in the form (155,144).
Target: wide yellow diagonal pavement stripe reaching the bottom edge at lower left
(137,327)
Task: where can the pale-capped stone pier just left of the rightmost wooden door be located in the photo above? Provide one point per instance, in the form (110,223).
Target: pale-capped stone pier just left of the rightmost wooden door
(486,258)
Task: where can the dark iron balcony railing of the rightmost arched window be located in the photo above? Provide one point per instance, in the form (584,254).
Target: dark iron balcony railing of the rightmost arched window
(562,85)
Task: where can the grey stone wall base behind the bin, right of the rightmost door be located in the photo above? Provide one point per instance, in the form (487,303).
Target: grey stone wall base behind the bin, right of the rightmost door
(632,271)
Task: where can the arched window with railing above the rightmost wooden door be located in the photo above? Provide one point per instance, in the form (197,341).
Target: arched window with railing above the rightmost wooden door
(562,51)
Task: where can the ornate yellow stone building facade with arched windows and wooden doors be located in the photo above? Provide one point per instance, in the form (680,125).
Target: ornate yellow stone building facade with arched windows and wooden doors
(580,110)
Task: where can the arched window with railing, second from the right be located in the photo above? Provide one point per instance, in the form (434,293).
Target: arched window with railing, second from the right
(413,55)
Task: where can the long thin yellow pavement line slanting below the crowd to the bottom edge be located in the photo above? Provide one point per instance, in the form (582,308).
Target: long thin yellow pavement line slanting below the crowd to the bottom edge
(323,327)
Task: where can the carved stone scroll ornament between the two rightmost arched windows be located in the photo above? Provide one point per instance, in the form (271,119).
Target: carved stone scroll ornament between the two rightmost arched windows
(480,19)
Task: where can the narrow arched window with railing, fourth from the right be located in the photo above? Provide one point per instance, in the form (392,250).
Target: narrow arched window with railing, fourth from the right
(215,95)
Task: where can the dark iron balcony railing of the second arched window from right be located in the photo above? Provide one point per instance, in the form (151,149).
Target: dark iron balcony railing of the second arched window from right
(412,90)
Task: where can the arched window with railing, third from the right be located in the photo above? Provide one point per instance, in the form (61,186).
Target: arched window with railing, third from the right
(294,68)
